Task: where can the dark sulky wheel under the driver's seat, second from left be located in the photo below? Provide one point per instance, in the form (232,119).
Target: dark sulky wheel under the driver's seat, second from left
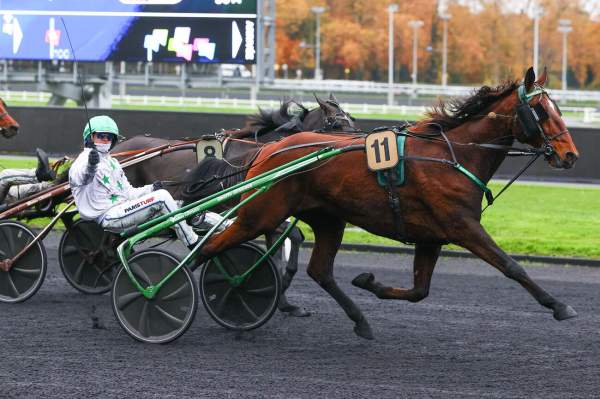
(88,257)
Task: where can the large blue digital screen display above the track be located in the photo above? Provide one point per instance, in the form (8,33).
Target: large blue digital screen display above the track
(218,31)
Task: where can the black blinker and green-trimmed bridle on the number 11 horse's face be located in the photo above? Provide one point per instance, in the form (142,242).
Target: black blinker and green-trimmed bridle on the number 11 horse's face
(532,117)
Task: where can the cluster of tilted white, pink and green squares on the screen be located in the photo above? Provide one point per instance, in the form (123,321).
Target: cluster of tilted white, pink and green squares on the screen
(179,44)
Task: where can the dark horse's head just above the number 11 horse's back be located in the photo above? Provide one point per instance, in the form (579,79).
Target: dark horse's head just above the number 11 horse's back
(329,116)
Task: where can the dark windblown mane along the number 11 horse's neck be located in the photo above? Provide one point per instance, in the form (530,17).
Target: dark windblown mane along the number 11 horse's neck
(456,111)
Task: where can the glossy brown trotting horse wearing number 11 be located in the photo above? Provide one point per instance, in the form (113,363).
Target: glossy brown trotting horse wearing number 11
(438,204)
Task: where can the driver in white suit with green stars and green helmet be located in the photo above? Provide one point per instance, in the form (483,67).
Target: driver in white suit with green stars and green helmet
(103,193)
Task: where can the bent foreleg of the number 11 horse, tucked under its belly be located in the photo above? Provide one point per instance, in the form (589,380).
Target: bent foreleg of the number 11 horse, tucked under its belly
(426,256)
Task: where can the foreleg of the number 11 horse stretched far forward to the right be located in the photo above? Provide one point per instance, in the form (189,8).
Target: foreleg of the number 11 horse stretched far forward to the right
(477,240)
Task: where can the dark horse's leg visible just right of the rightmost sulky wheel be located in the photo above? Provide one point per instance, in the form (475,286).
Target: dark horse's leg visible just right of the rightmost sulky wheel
(288,271)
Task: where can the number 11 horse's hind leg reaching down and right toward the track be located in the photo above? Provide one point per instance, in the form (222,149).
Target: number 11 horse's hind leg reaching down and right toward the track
(328,237)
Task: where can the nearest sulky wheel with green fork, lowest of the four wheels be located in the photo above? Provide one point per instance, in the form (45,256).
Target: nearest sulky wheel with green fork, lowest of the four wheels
(166,316)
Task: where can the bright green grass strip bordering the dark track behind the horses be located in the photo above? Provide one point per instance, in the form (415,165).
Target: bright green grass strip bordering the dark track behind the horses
(527,219)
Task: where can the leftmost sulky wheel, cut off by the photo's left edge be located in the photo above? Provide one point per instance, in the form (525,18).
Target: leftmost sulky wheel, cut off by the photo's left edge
(26,276)
